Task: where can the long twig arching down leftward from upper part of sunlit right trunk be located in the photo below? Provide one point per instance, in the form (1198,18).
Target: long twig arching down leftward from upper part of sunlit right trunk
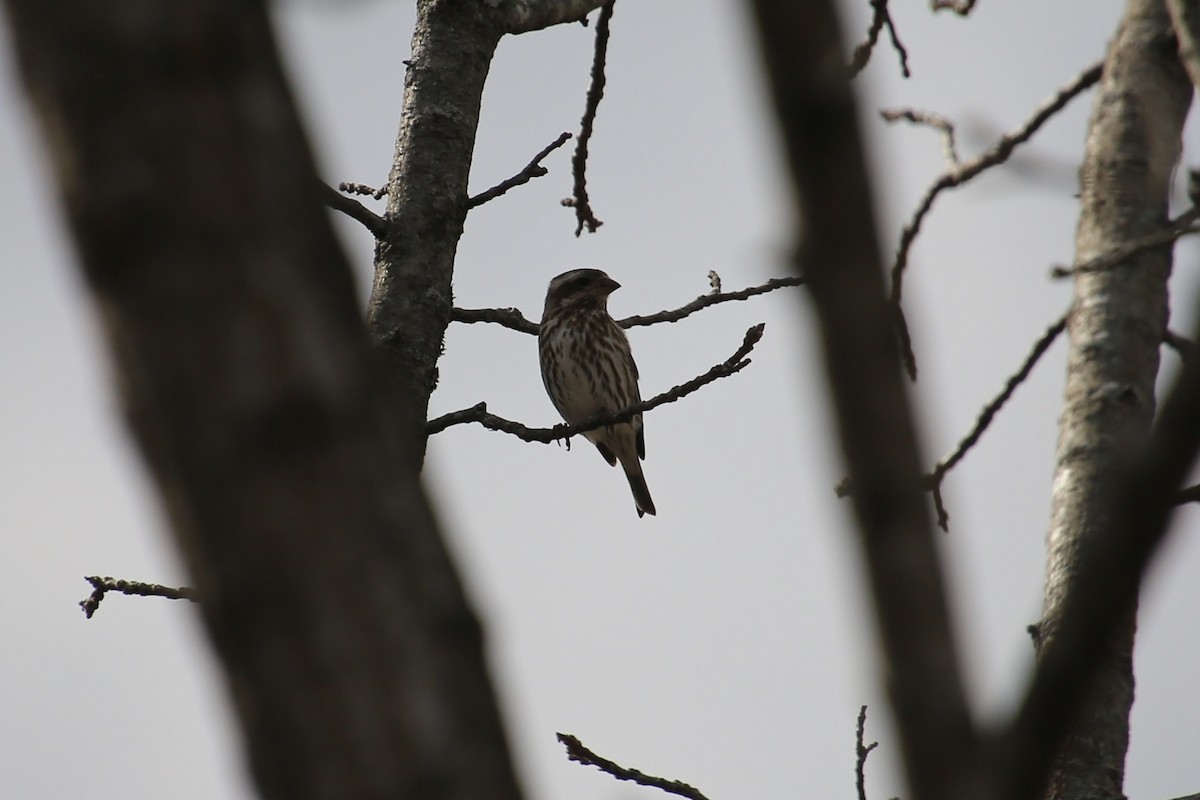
(963,173)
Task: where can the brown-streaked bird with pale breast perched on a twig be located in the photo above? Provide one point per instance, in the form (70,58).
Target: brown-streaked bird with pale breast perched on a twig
(589,369)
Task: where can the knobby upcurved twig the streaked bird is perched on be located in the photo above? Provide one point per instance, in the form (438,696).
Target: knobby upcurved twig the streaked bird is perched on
(478,413)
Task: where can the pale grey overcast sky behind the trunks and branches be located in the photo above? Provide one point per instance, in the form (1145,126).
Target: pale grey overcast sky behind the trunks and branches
(724,643)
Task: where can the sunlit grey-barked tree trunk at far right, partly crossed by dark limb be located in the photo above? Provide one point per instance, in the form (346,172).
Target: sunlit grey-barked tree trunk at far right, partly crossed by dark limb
(1117,329)
